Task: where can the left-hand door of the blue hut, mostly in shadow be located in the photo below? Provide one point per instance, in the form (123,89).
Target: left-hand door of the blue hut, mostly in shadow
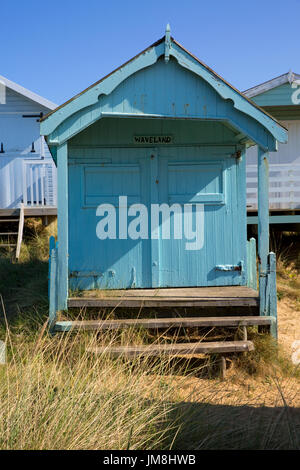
(107,263)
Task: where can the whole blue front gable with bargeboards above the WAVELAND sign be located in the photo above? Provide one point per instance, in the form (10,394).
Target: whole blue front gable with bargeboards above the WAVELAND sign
(91,105)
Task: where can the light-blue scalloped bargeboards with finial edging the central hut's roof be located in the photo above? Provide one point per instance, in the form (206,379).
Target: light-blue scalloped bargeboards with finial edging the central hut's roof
(168,47)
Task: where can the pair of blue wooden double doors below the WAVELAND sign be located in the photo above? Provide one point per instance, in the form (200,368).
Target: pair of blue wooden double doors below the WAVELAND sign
(171,176)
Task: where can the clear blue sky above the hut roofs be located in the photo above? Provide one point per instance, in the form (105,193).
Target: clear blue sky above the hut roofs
(59,47)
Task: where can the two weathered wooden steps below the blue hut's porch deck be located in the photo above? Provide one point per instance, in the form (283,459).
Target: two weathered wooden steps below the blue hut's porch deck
(221,348)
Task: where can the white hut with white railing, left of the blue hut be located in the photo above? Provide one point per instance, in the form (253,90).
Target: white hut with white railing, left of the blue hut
(27,171)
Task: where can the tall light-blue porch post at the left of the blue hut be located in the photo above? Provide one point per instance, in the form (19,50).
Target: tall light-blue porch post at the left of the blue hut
(62,226)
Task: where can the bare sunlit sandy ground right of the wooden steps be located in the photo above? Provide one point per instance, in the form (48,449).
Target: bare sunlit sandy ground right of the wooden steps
(239,388)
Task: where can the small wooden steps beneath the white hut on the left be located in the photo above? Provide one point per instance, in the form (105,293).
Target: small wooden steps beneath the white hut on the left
(11,232)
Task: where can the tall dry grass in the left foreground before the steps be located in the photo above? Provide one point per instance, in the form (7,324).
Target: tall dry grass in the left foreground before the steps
(55,394)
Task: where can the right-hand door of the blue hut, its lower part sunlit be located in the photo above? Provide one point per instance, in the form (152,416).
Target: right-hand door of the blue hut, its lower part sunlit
(190,176)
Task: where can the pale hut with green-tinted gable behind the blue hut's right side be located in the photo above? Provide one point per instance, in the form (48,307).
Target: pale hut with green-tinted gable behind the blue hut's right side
(280,97)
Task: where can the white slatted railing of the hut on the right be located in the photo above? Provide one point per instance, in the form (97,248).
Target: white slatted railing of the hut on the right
(284,186)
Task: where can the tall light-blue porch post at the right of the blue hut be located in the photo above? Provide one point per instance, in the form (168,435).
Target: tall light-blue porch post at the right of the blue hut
(263,225)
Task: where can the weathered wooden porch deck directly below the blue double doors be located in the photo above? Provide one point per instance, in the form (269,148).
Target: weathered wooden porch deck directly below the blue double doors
(229,296)
